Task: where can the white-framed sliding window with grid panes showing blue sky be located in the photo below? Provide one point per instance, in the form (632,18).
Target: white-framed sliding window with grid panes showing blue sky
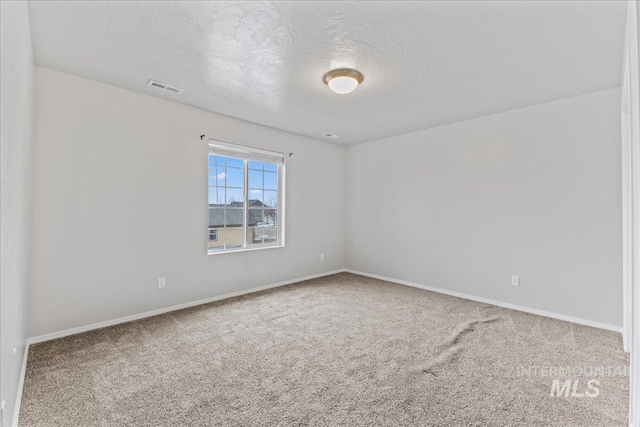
(245,198)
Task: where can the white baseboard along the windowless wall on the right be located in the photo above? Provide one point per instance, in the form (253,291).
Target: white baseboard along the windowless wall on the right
(566,318)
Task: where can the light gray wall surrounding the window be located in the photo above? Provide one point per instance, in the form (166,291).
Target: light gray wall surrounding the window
(121,199)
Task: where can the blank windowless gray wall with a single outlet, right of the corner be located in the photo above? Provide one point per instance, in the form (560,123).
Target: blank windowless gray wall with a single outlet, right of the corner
(533,192)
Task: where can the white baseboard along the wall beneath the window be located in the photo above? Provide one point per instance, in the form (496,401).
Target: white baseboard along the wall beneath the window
(80,329)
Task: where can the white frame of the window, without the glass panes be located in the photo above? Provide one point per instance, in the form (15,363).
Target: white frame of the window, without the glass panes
(247,154)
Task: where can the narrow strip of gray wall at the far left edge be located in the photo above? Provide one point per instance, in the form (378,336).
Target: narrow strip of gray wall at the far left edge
(16,141)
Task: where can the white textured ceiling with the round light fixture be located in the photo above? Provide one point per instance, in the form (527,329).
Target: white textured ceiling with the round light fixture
(424,63)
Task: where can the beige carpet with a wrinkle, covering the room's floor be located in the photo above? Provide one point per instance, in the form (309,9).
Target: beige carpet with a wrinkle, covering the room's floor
(338,351)
